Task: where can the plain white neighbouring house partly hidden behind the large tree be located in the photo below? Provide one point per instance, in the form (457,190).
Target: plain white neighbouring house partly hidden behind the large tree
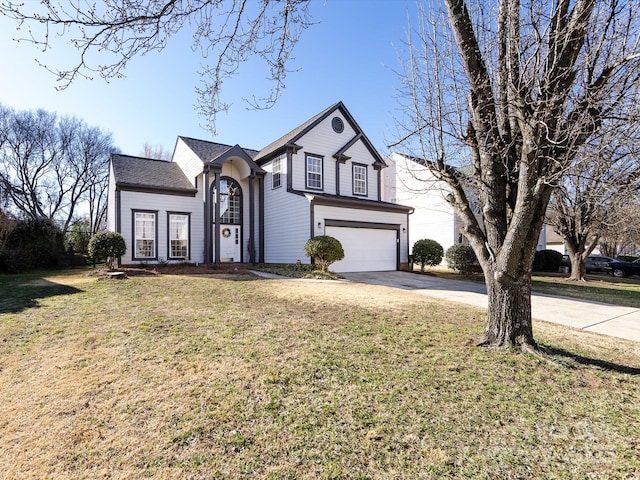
(409,181)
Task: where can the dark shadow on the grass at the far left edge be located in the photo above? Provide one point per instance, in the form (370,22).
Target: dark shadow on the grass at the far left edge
(19,295)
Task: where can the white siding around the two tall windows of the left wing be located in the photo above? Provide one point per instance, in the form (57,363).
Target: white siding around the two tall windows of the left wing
(131,201)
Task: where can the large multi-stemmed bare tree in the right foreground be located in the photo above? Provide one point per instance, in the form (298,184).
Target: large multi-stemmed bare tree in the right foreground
(514,89)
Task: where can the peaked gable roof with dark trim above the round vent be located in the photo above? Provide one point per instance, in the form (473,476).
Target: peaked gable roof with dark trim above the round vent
(294,135)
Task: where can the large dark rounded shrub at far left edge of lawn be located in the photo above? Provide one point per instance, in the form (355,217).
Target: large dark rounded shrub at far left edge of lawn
(32,243)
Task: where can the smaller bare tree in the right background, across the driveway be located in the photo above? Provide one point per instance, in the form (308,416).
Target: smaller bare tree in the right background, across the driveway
(601,182)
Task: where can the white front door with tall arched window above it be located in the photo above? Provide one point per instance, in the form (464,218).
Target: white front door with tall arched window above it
(230,220)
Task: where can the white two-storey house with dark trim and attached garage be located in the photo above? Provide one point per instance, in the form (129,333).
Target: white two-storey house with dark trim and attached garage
(216,203)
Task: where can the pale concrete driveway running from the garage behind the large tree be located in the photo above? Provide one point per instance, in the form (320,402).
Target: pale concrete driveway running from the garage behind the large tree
(621,322)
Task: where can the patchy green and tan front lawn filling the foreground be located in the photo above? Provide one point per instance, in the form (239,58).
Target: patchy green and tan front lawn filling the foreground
(234,377)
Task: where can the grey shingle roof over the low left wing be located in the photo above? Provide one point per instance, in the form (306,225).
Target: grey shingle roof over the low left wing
(137,173)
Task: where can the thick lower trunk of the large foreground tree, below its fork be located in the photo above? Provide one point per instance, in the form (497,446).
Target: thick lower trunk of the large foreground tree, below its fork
(509,314)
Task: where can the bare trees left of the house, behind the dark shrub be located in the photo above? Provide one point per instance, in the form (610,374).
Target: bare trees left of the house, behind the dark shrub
(51,165)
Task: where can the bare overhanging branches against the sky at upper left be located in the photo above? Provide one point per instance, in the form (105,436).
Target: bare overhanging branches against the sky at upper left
(230,31)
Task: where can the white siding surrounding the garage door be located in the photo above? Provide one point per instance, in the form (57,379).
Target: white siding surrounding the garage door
(322,213)
